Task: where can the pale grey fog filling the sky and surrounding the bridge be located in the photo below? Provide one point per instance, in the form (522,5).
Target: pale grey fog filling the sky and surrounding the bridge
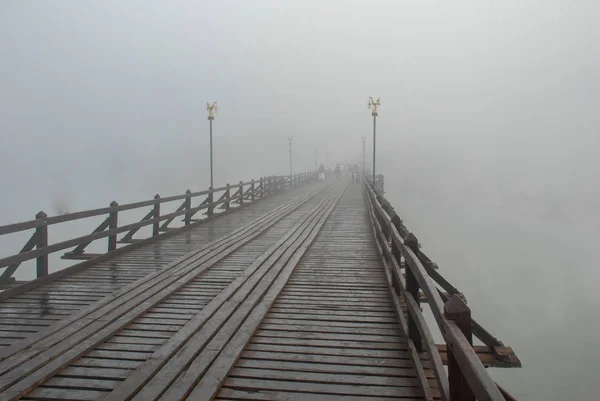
(487,134)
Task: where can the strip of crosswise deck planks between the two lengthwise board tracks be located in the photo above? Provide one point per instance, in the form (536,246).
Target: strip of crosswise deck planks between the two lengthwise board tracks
(106,365)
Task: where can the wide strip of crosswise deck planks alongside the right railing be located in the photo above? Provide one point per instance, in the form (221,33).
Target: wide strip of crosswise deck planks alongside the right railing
(332,333)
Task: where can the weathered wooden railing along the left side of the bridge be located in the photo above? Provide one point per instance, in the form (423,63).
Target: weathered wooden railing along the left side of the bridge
(39,248)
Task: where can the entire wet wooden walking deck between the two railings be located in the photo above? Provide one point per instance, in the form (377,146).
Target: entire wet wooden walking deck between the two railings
(285,299)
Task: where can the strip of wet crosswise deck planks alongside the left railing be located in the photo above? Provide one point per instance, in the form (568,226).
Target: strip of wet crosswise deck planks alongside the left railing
(34,310)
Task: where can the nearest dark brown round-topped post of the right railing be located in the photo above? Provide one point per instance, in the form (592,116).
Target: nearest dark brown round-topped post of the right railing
(456,309)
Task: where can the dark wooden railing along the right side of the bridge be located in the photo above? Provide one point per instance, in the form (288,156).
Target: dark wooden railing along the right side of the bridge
(411,272)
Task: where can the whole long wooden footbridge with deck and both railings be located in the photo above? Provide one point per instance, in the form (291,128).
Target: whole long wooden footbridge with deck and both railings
(283,288)
